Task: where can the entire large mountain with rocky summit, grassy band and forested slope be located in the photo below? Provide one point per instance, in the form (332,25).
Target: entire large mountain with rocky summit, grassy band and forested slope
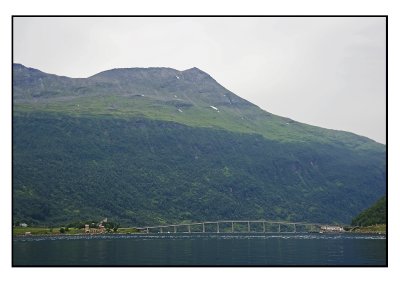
(158,145)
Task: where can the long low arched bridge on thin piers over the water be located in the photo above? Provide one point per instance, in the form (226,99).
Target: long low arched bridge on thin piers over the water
(241,226)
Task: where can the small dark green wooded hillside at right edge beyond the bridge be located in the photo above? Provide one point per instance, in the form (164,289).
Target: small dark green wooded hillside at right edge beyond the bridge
(376,214)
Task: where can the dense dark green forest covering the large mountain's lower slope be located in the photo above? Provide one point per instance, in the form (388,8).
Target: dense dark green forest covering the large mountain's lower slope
(140,171)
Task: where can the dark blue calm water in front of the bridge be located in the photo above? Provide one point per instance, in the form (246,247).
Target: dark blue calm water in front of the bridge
(202,250)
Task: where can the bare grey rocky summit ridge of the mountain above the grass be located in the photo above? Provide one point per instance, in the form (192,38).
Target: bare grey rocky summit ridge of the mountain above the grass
(192,86)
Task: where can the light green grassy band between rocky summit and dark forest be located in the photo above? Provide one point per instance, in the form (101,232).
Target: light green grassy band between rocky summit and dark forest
(246,119)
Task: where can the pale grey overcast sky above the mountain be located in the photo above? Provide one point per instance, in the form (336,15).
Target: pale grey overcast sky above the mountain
(328,72)
